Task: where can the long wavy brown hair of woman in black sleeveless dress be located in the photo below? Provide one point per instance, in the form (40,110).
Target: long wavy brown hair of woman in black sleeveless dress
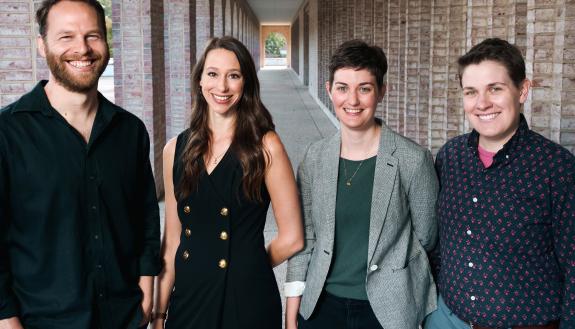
(253,121)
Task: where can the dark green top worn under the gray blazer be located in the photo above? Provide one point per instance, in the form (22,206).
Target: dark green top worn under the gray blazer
(352,212)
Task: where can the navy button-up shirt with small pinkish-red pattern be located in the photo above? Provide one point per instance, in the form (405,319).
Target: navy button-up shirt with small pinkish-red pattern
(507,232)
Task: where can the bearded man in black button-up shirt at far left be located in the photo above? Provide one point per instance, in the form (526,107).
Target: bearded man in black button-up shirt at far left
(79,220)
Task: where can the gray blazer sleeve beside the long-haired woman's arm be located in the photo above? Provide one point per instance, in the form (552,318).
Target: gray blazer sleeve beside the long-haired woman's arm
(298,264)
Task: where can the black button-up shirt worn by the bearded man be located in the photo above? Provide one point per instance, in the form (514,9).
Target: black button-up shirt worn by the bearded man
(79,223)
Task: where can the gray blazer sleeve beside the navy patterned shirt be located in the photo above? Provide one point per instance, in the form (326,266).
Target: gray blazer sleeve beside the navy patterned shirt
(423,191)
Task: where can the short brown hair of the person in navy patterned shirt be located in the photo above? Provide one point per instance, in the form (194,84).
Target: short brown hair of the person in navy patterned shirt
(497,50)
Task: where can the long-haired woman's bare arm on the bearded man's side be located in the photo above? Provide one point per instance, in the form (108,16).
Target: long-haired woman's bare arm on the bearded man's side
(171,239)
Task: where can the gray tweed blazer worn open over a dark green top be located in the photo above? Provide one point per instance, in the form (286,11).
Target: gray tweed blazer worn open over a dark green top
(402,228)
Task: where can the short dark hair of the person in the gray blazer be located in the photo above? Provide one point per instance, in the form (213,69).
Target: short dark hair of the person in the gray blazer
(358,55)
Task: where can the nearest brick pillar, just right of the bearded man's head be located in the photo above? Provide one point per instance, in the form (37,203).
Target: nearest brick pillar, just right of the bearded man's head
(138,25)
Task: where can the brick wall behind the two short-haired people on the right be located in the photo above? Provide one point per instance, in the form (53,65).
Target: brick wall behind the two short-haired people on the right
(423,40)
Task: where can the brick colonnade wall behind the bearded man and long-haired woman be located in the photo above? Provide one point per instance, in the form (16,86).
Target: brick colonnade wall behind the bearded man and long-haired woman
(155,43)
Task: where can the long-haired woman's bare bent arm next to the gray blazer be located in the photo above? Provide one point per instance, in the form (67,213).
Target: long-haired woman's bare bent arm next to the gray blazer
(281,185)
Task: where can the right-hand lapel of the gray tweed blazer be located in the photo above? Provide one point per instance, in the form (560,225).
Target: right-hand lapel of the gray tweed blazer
(384,180)
